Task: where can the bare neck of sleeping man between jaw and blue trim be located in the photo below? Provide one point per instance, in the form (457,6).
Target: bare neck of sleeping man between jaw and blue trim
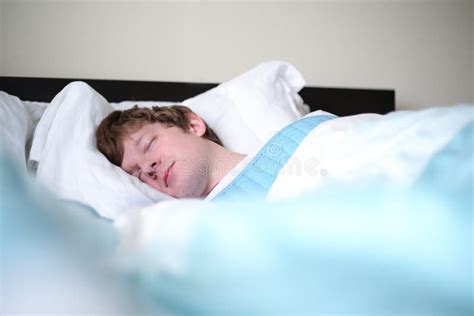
(222,161)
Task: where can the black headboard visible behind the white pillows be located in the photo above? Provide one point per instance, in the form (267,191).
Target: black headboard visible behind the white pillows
(340,101)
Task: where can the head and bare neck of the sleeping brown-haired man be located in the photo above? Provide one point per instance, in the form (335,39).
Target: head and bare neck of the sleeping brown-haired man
(170,148)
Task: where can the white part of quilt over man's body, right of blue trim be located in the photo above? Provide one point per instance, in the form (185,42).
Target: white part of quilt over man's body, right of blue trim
(390,148)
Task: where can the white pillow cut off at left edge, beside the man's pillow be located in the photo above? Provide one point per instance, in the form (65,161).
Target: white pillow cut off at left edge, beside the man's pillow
(16,128)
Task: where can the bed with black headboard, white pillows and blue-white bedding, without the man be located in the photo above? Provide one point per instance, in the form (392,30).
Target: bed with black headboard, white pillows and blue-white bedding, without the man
(383,226)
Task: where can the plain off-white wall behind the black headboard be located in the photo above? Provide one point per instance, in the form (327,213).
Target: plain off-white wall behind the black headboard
(423,49)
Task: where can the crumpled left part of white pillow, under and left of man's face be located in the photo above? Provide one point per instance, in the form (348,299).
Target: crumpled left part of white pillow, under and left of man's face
(70,164)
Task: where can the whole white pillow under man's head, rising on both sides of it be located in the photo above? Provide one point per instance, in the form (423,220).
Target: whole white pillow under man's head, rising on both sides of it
(244,112)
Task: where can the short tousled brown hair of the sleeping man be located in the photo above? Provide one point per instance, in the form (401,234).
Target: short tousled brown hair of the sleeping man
(119,124)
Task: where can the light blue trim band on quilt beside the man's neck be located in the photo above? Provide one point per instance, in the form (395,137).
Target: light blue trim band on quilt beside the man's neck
(257,178)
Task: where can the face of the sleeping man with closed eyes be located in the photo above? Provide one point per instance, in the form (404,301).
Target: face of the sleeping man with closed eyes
(168,159)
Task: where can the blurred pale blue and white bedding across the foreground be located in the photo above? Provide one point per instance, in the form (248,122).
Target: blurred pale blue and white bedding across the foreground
(366,250)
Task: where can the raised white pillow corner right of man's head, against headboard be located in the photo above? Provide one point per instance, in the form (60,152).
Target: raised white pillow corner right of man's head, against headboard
(247,110)
